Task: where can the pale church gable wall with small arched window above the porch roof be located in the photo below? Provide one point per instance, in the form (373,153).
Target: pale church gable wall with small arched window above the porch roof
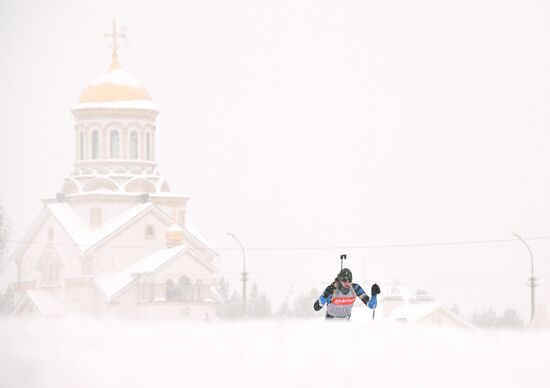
(136,245)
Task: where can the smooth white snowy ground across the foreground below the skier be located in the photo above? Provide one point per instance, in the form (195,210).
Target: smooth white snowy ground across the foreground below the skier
(103,354)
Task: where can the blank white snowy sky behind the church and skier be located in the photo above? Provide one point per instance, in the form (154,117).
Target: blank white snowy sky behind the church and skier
(313,124)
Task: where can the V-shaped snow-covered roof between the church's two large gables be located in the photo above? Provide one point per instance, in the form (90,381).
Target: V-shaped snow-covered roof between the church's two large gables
(84,236)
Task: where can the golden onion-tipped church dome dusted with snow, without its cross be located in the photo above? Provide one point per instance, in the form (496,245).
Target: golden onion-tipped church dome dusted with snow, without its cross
(114,85)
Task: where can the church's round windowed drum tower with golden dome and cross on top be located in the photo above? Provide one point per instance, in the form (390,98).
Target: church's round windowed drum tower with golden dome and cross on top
(115,135)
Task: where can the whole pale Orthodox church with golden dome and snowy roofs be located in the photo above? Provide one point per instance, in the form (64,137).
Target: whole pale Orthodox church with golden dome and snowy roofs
(115,241)
